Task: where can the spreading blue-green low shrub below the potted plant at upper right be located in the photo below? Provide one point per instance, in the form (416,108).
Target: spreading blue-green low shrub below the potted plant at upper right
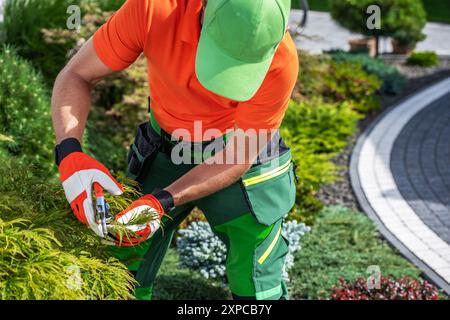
(393,80)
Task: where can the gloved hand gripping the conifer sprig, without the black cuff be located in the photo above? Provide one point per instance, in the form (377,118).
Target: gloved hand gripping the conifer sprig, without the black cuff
(148,208)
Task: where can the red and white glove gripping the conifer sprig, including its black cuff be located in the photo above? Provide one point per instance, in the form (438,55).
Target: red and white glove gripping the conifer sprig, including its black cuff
(153,204)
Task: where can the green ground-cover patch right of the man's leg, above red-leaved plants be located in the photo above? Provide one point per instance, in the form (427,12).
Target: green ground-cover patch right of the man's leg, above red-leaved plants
(342,244)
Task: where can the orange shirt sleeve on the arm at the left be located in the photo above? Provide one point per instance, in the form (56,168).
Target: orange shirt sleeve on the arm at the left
(120,41)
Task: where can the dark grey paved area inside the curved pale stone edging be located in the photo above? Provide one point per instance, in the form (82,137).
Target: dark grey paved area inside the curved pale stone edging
(420,163)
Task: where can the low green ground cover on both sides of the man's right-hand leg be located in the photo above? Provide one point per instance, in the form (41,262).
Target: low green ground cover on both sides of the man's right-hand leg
(341,243)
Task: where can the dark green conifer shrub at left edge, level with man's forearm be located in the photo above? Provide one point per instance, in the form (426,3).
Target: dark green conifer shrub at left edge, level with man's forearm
(24,112)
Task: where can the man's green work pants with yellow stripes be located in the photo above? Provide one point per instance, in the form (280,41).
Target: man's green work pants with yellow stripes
(247,216)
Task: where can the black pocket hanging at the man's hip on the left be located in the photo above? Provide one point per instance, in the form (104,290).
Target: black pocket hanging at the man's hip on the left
(143,151)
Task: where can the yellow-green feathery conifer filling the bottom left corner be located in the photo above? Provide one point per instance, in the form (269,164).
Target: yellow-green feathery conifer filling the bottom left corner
(33,267)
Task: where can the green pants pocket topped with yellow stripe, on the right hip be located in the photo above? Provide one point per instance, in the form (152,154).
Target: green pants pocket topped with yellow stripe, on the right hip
(270,189)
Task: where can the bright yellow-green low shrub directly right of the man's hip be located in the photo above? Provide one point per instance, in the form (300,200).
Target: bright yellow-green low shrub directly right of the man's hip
(316,132)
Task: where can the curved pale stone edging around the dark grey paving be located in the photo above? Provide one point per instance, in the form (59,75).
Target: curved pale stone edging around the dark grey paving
(378,195)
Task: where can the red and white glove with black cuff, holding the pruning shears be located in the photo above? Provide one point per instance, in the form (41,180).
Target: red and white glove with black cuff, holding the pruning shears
(78,173)
